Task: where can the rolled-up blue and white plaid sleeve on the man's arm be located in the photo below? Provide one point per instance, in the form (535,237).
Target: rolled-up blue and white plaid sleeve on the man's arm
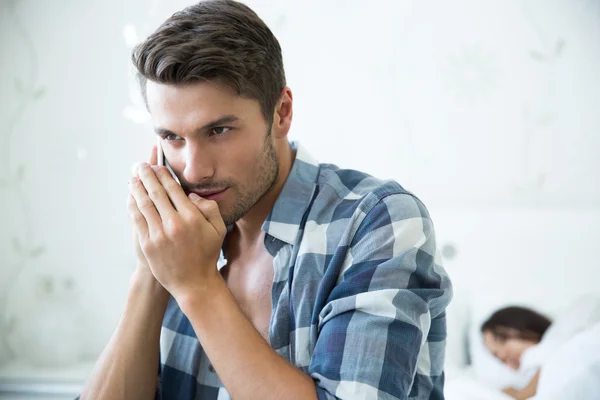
(382,331)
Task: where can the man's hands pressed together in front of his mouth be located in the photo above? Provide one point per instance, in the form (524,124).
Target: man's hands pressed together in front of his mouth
(180,237)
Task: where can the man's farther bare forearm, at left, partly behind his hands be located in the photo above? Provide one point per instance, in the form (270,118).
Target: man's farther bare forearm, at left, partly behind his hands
(128,366)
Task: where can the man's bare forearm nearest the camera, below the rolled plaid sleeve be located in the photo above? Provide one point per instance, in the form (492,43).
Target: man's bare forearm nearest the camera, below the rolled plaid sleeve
(246,364)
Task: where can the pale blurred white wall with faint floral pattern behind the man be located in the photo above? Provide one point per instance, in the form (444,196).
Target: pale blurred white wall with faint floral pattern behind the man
(489,111)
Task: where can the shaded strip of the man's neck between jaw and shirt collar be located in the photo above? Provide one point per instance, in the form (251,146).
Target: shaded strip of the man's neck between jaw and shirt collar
(249,226)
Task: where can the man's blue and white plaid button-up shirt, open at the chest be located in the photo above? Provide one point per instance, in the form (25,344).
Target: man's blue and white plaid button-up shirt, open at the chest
(359,293)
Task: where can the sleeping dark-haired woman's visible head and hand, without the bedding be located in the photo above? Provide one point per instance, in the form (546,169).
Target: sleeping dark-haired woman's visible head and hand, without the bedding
(508,333)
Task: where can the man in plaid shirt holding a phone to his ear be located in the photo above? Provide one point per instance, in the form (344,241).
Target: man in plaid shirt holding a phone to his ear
(265,275)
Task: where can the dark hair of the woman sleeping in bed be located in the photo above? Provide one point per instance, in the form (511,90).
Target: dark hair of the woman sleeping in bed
(517,323)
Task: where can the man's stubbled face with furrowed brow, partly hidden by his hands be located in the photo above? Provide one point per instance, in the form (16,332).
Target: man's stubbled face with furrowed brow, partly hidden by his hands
(218,144)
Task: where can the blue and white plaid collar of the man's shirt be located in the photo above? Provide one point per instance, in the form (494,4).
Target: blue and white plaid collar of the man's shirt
(285,218)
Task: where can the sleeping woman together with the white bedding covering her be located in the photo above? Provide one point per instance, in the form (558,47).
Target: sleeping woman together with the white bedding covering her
(563,355)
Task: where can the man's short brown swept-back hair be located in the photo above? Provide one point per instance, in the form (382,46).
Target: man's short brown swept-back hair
(215,40)
